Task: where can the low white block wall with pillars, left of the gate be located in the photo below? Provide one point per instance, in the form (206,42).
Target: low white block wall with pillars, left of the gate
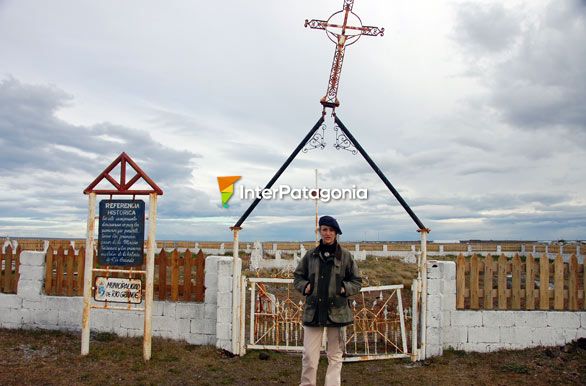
(197,323)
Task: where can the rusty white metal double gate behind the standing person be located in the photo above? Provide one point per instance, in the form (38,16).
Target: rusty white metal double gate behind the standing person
(273,311)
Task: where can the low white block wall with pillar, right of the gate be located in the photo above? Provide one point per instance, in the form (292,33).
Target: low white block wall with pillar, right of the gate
(484,331)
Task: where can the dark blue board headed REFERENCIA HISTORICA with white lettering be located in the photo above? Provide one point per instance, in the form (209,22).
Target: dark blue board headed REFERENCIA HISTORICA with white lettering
(121,232)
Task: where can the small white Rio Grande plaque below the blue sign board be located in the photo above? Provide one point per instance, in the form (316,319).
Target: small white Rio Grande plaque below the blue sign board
(118,290)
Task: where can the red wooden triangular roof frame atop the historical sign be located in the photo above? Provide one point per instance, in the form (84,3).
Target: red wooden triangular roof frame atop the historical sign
(123,186)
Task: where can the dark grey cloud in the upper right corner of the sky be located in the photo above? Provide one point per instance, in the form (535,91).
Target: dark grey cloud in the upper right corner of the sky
(541,83)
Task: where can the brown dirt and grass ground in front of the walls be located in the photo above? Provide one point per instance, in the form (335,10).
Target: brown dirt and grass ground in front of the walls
(52,358)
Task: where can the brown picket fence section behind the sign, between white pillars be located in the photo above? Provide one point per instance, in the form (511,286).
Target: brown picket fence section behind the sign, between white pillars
(179,276)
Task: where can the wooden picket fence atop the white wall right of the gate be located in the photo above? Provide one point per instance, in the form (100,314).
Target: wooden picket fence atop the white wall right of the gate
(520,283)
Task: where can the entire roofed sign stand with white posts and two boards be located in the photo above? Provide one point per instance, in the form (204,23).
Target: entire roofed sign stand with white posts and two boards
(121,237)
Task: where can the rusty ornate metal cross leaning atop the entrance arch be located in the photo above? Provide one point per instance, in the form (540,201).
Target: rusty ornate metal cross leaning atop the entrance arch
(342,34)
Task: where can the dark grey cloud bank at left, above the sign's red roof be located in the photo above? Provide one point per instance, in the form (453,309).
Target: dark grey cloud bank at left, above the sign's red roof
(33,135)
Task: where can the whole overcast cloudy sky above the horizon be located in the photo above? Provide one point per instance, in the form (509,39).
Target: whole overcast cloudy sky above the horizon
(474,110)
